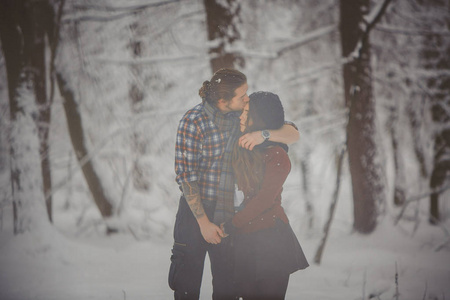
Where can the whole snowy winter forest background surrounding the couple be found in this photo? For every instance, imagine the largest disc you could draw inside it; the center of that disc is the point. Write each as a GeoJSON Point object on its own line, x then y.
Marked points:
{"type": "Point", "coordinates": [91, 93]}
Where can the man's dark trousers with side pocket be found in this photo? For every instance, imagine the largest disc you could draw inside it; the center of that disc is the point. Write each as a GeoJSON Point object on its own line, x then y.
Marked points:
{"type": "Point", "coordinates": [188, 257]}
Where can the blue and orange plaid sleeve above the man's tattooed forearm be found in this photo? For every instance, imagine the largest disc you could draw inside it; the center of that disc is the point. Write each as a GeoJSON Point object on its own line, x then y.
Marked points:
{"type": "Point", "coordinates": [187, 150]}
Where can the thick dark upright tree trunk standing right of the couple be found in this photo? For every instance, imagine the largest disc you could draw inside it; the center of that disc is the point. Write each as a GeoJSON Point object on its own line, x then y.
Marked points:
{"type": "Point", "coordinates": [362, 149]}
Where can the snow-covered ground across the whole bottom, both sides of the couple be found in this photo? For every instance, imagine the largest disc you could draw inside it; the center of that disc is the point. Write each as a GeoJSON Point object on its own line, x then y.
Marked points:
{"type": "Point", "coordinates": [54, 266]}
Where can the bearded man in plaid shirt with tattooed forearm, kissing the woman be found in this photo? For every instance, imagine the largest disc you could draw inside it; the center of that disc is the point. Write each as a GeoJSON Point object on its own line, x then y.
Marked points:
{"type": "Point", "coordinates": [205, 139]}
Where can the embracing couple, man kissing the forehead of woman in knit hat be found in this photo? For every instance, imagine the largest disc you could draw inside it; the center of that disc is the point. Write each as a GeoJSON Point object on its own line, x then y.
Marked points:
{"type": "Point", "coordinates": [231, 162]}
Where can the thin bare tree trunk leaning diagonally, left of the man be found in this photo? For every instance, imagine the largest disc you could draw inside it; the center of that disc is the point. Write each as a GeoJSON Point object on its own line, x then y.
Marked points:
{"type": "Point", "coordinates": [76, 133]}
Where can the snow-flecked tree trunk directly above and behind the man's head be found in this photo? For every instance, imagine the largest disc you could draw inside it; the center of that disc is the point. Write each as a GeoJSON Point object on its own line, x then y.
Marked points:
{"type": "Point", "coordinates": [222, 32]}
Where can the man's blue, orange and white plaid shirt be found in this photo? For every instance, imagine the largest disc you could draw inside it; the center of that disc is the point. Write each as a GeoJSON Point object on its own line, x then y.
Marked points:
{"type": "Point", "coordinates": [199, 150]}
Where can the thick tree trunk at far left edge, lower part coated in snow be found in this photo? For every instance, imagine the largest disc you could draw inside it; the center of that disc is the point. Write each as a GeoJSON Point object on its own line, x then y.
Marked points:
{"type": "Point", "coordinates": [22, 35]}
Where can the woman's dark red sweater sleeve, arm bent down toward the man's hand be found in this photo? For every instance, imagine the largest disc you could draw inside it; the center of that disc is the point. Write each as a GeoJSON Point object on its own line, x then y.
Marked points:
{"type": "Point", "coordinates": [278, 167]}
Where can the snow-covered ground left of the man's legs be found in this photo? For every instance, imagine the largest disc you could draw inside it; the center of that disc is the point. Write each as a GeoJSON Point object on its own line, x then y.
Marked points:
{"type": "Point", "coordinates": [113, 268]}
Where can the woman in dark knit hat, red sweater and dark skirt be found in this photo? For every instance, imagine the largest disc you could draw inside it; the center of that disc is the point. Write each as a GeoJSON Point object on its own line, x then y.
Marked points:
{"type": "Point", "coordinates": [266, 249]}
